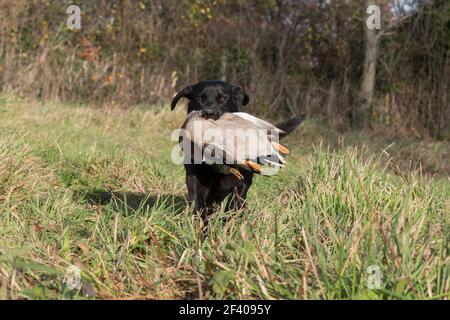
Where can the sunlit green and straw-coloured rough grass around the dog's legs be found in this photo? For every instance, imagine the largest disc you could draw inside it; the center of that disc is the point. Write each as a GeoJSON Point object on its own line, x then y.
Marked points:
{"type": "Point", "coordinates": [95, 188]}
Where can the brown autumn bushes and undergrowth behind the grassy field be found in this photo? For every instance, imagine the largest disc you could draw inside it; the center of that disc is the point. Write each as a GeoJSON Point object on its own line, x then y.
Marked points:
{"type": "Point", "coordinates": [292, 56]}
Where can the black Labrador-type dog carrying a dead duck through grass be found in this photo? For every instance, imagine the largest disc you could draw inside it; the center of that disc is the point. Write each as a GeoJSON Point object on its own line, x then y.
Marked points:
{"type": "Point", "coordinates": [205, 185]}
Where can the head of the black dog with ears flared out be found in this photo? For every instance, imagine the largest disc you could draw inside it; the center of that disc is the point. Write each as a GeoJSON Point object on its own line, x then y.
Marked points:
{"type": "Point", "coordinates": [212, 98]}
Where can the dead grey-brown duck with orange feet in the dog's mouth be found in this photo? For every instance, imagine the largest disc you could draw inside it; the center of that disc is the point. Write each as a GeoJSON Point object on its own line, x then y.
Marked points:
{"type": "Point", "coordinates": [236, 140]}
